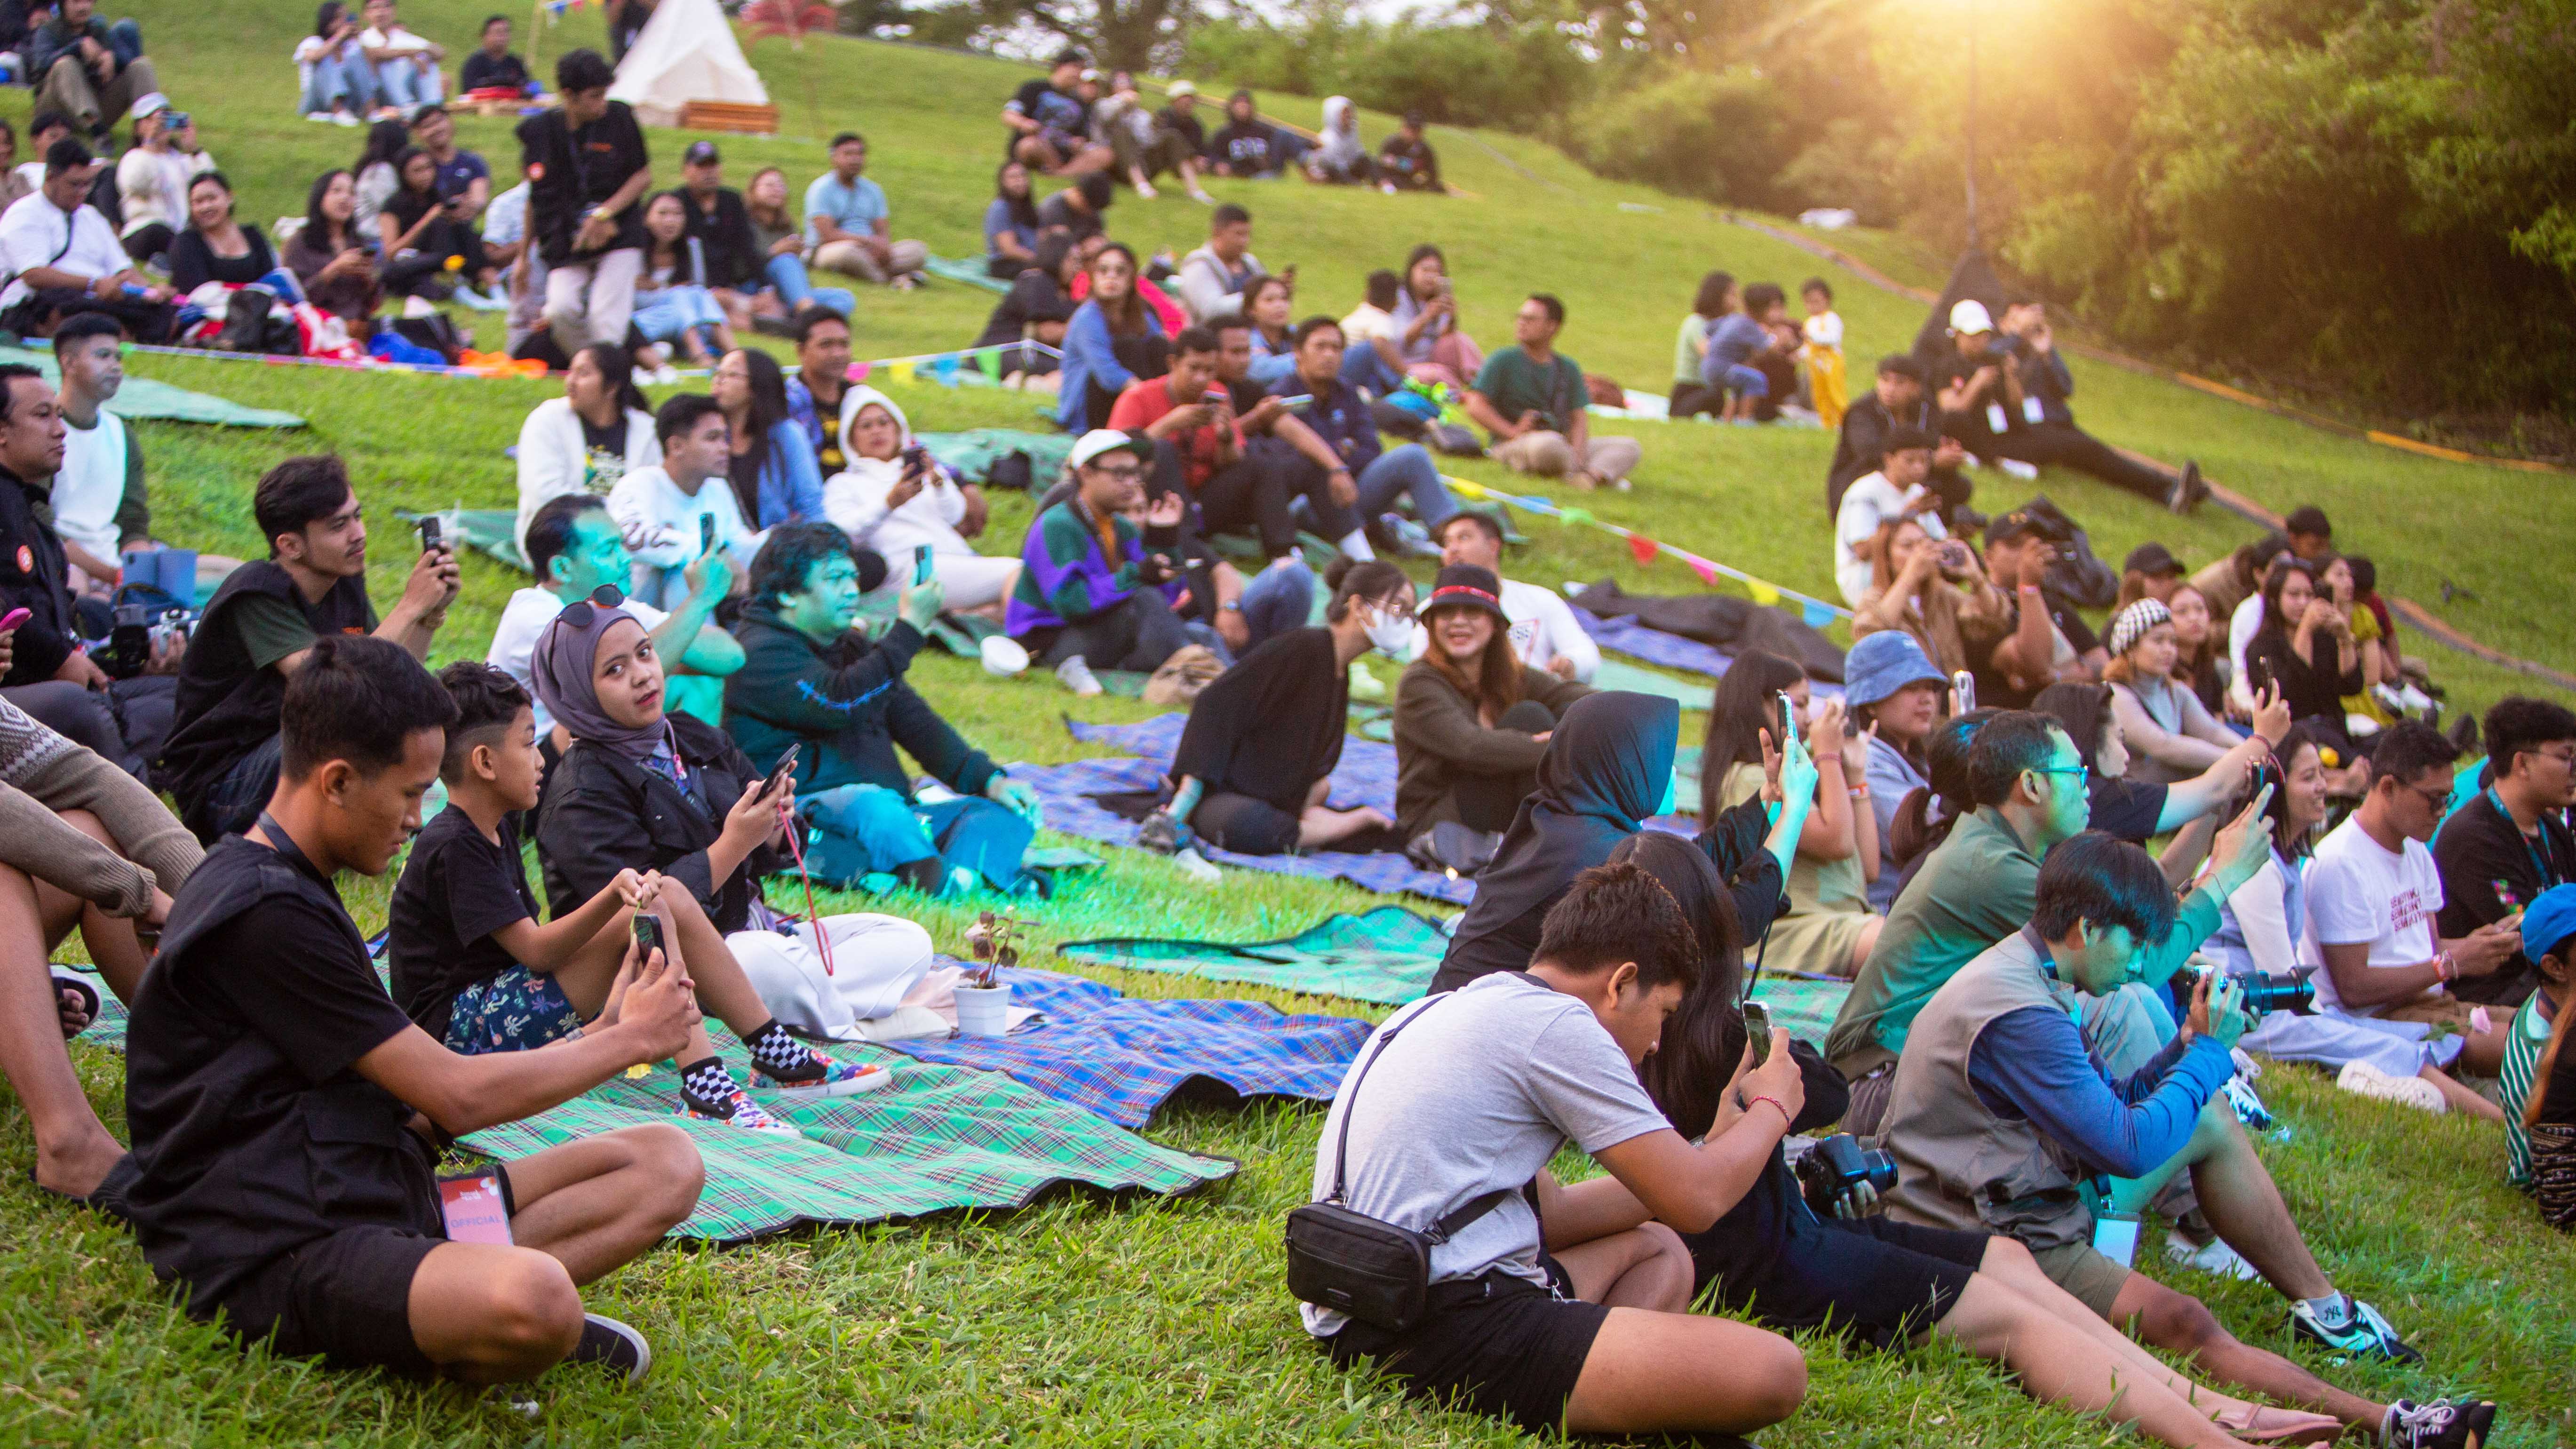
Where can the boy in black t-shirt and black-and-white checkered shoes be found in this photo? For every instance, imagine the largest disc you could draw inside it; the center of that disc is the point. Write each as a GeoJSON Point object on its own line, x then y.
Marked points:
{"type": "Point", "coordinates": [475, 968]}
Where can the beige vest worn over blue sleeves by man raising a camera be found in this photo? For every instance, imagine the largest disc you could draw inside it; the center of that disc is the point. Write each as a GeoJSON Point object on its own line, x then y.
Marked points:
{"type": "Point", "coordinates": [1956, 1162]}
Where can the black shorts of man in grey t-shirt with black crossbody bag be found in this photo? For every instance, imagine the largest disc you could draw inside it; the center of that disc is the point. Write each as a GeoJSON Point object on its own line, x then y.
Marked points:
{"type": "Point", "coordinates": [1498, 1345]}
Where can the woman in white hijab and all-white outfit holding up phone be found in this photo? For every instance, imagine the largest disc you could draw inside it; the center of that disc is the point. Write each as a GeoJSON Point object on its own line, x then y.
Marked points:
{"type": "Point", "coordinates": [895, 507]}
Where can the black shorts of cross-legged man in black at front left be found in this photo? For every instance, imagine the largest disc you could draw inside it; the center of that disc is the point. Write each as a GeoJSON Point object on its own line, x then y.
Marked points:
{"type": "Point", "coordinates": [341, 1298]}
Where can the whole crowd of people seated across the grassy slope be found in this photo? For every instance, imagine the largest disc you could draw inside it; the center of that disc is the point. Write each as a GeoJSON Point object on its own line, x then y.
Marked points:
{"type": "Point", "coordinates": [2044, 1027]}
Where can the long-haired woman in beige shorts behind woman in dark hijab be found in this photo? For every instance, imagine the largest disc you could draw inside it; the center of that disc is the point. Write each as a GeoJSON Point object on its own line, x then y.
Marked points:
{"type": "Point", "coordinates": [1830, 927]}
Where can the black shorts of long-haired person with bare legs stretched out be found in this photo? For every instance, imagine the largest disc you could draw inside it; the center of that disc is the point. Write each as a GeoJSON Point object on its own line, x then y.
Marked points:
{"type": "Point", "coordinates": [1877, 1280]}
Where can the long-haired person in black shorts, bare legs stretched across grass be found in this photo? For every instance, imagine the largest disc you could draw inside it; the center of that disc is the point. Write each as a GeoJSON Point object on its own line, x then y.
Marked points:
{"type": "Point", "coordinates": [1887, 1283]}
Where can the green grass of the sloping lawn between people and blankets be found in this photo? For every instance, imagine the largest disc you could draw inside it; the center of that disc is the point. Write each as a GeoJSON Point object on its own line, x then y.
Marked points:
{"type": "Point", "coordinates": [1086, 1321]}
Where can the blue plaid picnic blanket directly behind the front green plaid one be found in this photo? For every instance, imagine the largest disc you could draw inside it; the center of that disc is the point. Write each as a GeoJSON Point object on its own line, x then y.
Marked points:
{"type": "Point", "coordinates": [1124, 1058]}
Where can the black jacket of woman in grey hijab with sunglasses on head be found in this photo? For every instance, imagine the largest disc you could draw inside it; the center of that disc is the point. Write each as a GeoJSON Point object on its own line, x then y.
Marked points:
{"type": "Point", "coordinates": [607, 813]}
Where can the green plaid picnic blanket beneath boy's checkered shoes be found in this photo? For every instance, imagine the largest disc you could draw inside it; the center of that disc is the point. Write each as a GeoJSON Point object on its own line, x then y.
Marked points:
{"type": "Point", "coordinates": [939, 1138]}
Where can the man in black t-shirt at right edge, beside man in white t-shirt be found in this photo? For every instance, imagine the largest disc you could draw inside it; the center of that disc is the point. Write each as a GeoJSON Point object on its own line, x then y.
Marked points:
{"type": "Point", "coordinates": [2513, 842]}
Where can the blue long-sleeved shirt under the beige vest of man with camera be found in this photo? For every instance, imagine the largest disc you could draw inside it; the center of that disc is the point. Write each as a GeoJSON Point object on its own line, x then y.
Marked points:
{"type": "Point", "coordinates": [2034, 1064]}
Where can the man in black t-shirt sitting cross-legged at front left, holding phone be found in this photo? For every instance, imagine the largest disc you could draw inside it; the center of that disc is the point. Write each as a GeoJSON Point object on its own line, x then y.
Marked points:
{"type": "Point", "coordinates": [287, 1115]}
